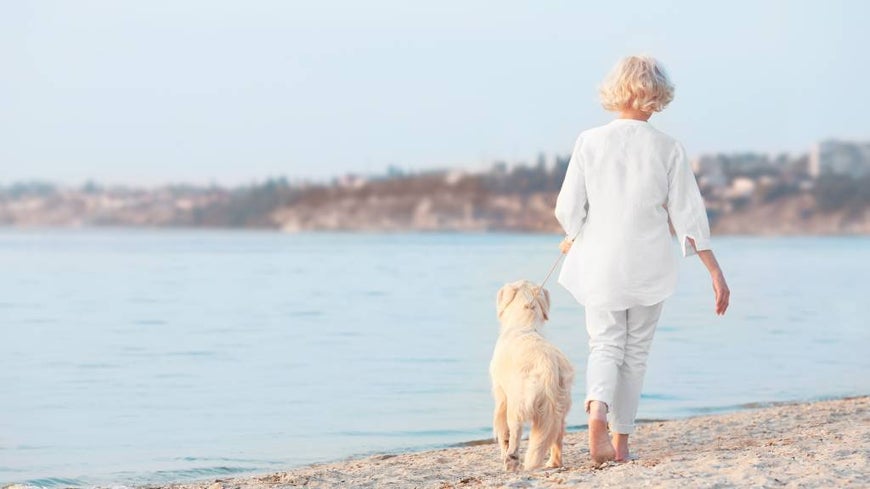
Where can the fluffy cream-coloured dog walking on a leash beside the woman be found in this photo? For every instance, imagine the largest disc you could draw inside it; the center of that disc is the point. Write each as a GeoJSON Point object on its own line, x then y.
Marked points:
{"type": "Point", "coordinates": [531, 379]}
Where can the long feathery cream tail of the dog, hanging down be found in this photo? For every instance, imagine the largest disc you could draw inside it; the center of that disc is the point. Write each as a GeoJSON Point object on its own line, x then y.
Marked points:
{"type": "Point", "coordinates": [551, 408]}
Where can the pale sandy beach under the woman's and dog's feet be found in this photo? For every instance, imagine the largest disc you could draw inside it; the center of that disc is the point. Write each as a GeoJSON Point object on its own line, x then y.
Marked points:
{"type": "Point", "coordinates": [819, 444]}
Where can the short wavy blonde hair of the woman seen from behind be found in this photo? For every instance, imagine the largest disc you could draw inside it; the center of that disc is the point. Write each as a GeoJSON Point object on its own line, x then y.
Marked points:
{"type": "Point", "coordinates": [637, 82]}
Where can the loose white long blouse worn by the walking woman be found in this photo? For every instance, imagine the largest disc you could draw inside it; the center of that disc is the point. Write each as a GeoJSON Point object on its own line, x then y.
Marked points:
{"type": "Point", "coordinates": [624, 180]}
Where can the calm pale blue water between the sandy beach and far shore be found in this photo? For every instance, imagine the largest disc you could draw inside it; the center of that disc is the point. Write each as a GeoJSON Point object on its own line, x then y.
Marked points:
{"type": "Point", "coordinates": [143, 356]}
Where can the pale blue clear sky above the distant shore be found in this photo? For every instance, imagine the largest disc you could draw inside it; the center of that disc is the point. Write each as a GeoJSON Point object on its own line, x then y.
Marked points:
{"type": "Point", "coordinates": [199, 91]}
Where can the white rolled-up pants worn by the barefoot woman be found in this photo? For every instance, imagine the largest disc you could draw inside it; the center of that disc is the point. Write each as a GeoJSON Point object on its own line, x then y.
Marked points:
{"type": "Point", "coordinates": [619, 343]}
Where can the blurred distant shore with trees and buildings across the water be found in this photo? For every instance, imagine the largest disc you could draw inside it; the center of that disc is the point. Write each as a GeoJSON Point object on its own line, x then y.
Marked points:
{"type": "Point", "coordinates": [518, 201]}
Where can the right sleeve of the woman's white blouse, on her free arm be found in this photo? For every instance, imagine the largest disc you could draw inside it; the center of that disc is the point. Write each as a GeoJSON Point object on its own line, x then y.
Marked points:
{"type": "Point", "coordinates": [686, 205]}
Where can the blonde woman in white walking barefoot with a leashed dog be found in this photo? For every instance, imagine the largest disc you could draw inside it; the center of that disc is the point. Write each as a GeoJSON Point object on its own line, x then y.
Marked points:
{"type": "Point", "coordinates": [624, 181]}
